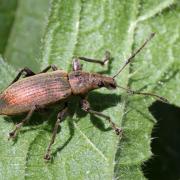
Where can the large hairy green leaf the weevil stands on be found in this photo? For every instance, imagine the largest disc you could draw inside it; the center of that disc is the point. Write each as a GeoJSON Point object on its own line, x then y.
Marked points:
{"type": "Point", "coordinates": [85, 147]}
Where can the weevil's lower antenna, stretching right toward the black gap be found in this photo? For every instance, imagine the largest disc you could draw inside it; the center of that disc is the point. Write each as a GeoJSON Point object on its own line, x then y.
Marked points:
{"type": "Point", "coordinates": [160, 98]}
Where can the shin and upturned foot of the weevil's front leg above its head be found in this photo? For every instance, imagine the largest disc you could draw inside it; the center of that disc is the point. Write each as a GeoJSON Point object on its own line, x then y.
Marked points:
{"type": "Point", "coordinates": [104, 61]}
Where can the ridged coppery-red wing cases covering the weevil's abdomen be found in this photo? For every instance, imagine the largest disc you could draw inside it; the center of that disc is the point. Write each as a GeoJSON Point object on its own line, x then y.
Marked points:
{"type": "Point", "coordinates": [41, 89]}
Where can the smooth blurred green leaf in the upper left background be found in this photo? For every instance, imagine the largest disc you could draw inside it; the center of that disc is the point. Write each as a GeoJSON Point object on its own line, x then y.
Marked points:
{"type": "Point", "coordinates": [22, 48]}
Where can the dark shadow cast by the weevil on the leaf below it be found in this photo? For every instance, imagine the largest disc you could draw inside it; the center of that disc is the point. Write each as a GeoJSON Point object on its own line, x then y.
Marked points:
{"type": "Point", "coordinates": [98, 102]}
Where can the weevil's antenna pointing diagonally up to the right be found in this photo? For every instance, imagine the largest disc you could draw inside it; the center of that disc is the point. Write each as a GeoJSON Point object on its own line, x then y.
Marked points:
{"type": "Point", "coordinates": [134, 54]}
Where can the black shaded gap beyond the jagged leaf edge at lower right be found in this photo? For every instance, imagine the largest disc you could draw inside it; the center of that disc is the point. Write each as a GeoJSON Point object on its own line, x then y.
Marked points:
{"type": "Point", "coordinates": [165, 144]}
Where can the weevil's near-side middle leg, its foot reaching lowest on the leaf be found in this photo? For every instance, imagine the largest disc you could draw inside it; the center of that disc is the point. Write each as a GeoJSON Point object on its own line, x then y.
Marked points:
{"type": "Point", "coordinates": [61, 115]}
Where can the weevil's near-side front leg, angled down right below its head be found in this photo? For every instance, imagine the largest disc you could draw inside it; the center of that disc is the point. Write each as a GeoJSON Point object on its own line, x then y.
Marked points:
{"type": "Point", "coordinates": [86, 107]}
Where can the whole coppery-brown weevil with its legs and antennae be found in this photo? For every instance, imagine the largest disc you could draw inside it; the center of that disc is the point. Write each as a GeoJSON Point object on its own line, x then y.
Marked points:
{"type": "Point", "coordinates": [27, 94]}
